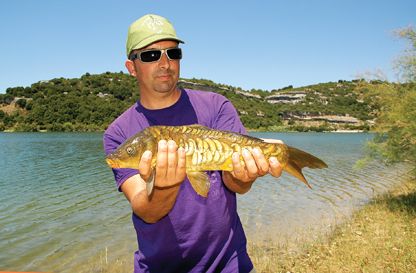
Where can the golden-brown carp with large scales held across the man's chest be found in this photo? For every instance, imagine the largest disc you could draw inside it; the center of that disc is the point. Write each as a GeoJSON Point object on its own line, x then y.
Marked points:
{"type": "Point", "coordinates": [207, 150]}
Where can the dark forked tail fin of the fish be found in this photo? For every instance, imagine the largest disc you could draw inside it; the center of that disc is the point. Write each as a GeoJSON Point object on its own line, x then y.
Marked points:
{"type": "Point", "coordinates": [299, 159]}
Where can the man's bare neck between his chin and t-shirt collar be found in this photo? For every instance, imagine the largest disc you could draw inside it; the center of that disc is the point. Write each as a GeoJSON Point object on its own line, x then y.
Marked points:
{"type": "Point", "coordinates": [157, 100]}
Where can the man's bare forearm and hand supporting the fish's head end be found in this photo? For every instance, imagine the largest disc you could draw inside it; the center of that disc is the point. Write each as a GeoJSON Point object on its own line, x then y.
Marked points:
{"type": "Point", "coordinates": [170, 173]}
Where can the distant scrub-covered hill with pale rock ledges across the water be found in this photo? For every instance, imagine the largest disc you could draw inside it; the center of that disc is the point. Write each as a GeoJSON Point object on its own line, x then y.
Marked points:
{"type": "Point", "coordinates": [91, 102]}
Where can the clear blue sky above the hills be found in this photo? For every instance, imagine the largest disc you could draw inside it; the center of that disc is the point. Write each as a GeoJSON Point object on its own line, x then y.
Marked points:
{"type": "Point", "coordinates": [250, 44]}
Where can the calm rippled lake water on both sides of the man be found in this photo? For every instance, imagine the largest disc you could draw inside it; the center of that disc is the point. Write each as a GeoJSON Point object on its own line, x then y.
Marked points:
{"type": "Point", "coordinates": [61, 212]}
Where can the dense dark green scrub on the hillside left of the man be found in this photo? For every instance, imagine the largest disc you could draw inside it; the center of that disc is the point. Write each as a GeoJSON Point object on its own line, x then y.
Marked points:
{"type": "Point", "coordinates": [86, 104]}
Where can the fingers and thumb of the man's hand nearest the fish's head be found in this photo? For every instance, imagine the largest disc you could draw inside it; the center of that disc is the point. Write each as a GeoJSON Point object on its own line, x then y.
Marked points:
{"type": "Point", "coordinates": [170, 165]}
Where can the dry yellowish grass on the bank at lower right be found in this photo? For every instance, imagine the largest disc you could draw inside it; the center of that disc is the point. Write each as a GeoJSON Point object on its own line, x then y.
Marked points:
{"type": "Point", "coordinates": [380, 237]}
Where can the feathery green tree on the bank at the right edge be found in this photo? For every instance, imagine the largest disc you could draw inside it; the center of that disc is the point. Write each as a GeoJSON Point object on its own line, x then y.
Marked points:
{"type": "Point", "coordinates": [396, 127]}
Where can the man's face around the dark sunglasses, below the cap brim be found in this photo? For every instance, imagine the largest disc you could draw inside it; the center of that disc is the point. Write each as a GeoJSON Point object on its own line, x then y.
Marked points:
{"type": "Point", "coordinates": [159, 76]}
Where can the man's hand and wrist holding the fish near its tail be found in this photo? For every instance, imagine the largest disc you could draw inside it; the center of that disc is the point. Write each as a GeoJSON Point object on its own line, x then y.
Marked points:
{"type": "Point", "coordinates": [254, 166]}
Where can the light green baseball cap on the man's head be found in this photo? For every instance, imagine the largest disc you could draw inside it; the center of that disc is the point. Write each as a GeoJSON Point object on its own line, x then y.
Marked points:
{"type": "Point", "coordinates": [149, 29]}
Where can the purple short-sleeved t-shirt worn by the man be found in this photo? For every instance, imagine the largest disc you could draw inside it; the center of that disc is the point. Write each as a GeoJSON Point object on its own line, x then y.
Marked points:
{"type": "Point", "coordinates": [199, 234]}
